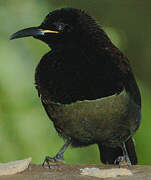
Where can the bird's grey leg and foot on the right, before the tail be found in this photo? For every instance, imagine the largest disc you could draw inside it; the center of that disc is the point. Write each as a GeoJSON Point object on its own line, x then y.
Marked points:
{"type": "Point", "coordinates": [123, 160]}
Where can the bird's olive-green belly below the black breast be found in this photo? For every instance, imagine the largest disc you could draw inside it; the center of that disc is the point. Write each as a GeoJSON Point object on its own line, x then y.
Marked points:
{"type": "Point", "coordinates": [110, 120]}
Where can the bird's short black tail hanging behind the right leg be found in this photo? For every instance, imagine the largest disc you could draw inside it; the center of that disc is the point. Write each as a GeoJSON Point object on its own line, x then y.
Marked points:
{"type": "Point", "coordinates": [108, 155]}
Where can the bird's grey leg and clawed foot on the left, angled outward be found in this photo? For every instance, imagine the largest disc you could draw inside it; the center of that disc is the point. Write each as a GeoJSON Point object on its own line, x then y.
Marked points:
{"type": "Point", "coordinates": [58, 158]}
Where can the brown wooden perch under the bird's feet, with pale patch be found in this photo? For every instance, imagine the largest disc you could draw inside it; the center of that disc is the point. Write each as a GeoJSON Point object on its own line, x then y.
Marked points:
{"type": "Point", "coordinates": [75, 172]}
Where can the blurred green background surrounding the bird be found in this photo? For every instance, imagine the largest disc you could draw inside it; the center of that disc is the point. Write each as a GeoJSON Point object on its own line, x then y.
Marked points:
{"type": "Point", "coordinates": [25, 129]}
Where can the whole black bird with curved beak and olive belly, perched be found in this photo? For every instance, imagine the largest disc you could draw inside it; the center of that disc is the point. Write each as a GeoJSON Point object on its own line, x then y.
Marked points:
{"type": "Point", "coordinates": [86, 86]}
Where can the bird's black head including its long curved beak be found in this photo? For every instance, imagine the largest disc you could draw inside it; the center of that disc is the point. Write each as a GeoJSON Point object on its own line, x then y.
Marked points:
{"type": "Point", "coordinates": [61, 27]}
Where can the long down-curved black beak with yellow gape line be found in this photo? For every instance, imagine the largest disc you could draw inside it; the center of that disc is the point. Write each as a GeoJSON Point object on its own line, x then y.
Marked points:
{"type": "Point", "coordinates": [33, 31]}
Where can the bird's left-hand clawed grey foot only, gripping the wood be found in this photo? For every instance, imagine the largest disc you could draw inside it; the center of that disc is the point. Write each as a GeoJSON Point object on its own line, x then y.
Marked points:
{"type": "Point", "coordinates": [56, 160]}
